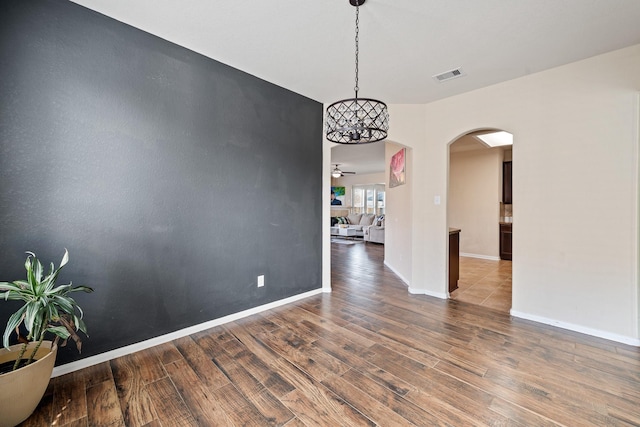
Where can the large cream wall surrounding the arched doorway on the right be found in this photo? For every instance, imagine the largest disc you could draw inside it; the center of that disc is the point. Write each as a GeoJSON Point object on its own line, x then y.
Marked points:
{"type": "Point", "coordinates": [575, 188]}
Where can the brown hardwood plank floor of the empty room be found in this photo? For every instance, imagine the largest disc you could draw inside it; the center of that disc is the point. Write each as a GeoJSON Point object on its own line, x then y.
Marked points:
{"type": "Point", "coordinates": [367, 354]}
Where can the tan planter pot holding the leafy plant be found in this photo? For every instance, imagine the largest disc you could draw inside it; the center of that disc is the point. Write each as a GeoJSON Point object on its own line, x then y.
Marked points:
{"type": "Point", "coordinates": [22, 390]}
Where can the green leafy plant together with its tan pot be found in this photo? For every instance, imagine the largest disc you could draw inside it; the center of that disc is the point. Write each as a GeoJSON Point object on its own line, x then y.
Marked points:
{"type": "Point", "coordinates": [47, 309]}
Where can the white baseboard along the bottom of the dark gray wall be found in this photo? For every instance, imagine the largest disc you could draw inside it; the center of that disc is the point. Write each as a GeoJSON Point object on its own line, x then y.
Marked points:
{"type": "Point", "coordinates": [123, 351]}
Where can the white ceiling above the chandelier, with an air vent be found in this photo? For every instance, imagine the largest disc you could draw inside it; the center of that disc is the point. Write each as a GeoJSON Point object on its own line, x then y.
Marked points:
{"type": "Point", "coordinates": [308, 46]}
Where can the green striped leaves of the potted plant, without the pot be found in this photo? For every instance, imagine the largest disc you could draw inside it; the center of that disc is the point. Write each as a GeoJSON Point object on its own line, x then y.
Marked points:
{"type": "Point", "coordinates": [46, 308]}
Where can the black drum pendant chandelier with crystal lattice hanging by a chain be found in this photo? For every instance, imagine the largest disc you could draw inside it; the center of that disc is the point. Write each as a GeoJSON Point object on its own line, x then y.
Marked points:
{"type": "Point", "coordinates": [357, 120]}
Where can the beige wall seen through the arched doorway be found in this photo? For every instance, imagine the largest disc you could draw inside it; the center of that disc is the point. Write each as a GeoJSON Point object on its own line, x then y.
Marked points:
{"type": "Point", "coordinates": [474, 200]}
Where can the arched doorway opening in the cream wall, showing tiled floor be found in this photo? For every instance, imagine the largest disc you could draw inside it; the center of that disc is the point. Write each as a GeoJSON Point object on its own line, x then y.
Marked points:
{"type": "Point", "coordinates": [480, 204]}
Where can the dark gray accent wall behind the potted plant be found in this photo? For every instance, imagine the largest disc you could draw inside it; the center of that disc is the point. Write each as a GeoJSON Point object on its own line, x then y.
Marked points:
{"type": "Point", "coordinates": [172, 179]}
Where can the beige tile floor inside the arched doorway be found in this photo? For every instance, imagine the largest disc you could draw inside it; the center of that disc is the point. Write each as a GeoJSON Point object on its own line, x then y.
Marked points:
{"type": "Point", "coordinates": [484, 282]}
